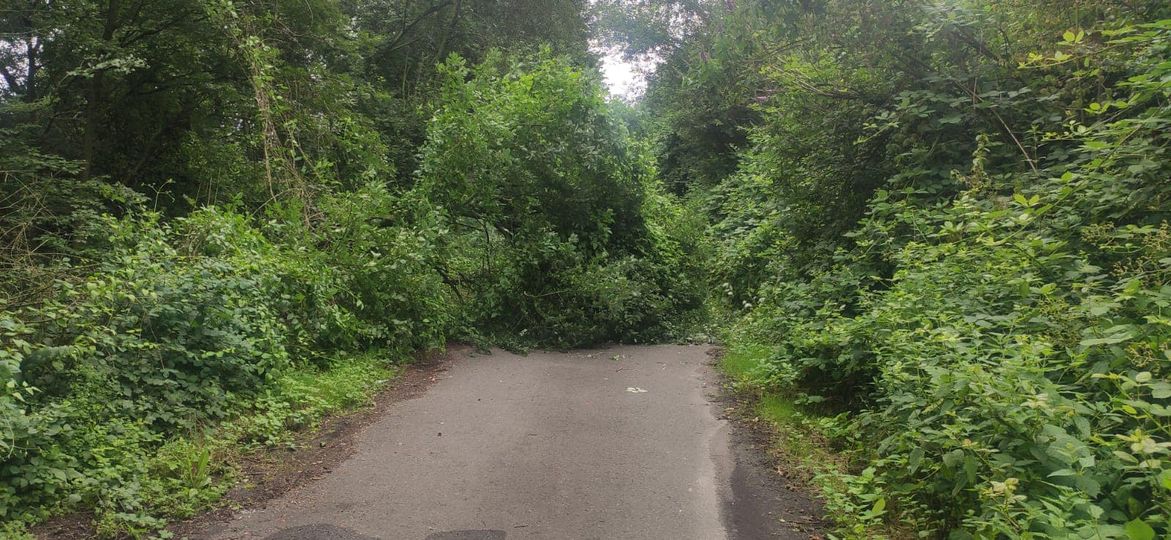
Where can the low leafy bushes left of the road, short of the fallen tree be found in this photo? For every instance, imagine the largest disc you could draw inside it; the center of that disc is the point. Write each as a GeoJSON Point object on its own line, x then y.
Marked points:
{"type": "Point", "coordinates": [181, 325]}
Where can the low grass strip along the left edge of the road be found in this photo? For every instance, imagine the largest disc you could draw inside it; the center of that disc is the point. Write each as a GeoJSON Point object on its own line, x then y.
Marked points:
{"type": "Point", "coordinates": [191, 474]}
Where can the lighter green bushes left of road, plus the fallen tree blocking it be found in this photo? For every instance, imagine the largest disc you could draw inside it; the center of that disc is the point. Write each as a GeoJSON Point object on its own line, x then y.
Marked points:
{"type": "Point", "coordinates": [155, 345]}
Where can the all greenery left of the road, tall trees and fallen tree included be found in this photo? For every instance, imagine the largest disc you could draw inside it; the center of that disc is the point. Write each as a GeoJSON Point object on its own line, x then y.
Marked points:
{"type": "Point", "coordinates": [224, 221]}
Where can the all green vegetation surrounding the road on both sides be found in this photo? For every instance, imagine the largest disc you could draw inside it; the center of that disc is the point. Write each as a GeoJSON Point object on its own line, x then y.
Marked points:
{"type": "Point", "coordinates": [936, 235]}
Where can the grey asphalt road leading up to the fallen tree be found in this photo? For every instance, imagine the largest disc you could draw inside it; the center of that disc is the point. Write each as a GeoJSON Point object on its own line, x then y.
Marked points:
{"type": "Point", "coordinates": [622, 443]}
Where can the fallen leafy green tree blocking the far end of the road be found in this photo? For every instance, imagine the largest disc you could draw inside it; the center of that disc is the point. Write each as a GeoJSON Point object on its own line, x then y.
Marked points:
{"type": "Point", "coordinates": [551, 210]}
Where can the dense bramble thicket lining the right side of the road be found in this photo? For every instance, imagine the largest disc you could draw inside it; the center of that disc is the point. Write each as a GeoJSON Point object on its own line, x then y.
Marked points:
{"type": "Point", "coordinates": [996, 331]}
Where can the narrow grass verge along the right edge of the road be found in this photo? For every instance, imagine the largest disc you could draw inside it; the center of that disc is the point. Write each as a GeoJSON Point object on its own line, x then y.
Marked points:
{"type": "Point", "coordinates": [812, 448]}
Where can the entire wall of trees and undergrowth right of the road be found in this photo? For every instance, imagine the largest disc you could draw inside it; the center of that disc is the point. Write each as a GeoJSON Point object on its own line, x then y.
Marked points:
{"type": "Point", "coordinates": [946, 225]}
